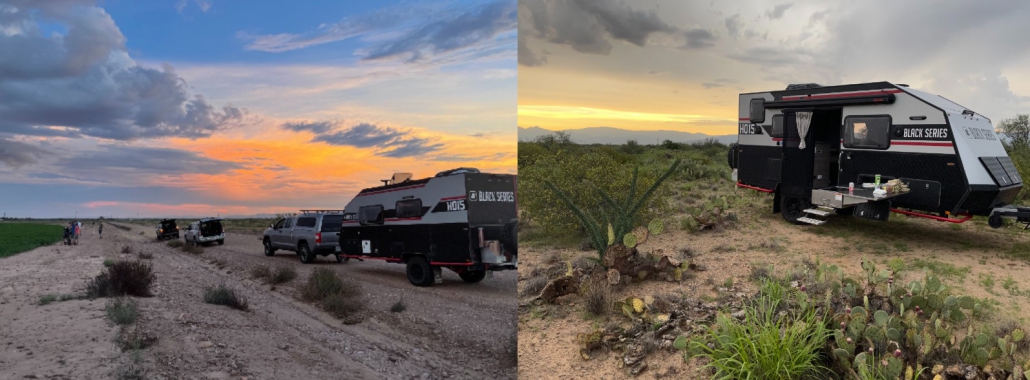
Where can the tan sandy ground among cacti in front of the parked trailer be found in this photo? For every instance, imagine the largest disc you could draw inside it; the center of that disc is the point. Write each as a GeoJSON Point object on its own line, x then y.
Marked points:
{"type": "Point", "coordinates": [548, 348]}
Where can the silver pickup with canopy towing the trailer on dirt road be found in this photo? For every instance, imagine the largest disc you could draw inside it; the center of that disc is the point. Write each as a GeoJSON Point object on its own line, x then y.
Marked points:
{"type": "Point", "coordinates": [312, 234]}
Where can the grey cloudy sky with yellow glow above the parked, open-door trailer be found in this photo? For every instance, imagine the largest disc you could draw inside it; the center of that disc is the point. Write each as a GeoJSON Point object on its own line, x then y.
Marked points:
{"type": "Point", "coordinates": [679, 65]}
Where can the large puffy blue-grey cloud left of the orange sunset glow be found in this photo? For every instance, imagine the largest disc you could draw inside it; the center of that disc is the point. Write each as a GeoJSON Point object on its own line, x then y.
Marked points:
{"type": "Point", "coordinates": [84, 83]}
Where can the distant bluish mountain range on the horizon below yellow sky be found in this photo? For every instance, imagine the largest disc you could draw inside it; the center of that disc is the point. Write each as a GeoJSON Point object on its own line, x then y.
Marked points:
{"type": "Point", "coordinates": [608, 135]}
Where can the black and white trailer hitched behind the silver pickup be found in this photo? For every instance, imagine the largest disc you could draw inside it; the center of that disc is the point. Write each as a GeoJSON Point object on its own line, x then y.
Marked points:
{"type": "Point", "coordinates": [461, 220]}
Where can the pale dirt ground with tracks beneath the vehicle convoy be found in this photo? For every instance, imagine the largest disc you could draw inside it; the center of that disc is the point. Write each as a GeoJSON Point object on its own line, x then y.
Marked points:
{"type": "Point", "coordinates": [449, 331]}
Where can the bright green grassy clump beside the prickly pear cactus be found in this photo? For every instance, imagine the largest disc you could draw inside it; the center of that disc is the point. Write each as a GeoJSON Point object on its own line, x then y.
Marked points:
{"type": "Point", "coordinates": [766, 344]}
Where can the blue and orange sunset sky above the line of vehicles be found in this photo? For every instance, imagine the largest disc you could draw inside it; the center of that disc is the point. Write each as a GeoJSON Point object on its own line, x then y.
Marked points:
{"type": "Point", "coordinates": [198, 108]}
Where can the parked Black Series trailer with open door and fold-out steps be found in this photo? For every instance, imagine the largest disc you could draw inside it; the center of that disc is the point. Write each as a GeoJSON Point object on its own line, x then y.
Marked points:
{"type": "Point", "coordinates": [806, 145]}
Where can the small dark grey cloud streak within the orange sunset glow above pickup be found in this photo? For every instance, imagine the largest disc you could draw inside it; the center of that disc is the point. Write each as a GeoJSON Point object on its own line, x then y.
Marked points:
{"type": "Point", "coordinates": [385, 141]}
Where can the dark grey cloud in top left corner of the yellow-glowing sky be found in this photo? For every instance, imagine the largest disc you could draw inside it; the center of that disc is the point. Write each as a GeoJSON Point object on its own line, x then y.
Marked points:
{"type": "Point", "coordinates": [587, 26]}
